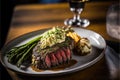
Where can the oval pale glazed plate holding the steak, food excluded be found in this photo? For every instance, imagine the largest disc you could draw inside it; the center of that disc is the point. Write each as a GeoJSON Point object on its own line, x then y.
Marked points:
{"type": "Point", "coordinates": [96, 40]}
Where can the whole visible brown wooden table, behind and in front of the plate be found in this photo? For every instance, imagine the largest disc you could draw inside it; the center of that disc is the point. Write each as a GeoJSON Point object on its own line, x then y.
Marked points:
{"type": "Point", "coordinates": [28, 18]}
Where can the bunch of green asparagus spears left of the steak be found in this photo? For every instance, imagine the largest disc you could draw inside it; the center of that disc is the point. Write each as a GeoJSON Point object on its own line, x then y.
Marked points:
{"type": "Point", "coordinates": [18, 54]}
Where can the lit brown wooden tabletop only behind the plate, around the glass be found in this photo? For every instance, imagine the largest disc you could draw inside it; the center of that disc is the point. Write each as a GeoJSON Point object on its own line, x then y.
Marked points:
{"type": "Point", "coordinates": [28, 18]}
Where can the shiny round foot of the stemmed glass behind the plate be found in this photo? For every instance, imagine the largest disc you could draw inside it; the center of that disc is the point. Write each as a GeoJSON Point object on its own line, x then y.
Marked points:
{"type": "Point", "coordinates": [78, 23]}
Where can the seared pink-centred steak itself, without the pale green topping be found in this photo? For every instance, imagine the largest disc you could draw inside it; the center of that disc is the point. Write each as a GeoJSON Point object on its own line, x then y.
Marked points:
{"type": "Point", "coordinates": [52, 56]}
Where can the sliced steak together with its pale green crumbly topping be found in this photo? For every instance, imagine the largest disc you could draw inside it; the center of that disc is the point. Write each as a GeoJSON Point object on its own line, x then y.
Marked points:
{"type": "Point", "coordinates": [47, 56]}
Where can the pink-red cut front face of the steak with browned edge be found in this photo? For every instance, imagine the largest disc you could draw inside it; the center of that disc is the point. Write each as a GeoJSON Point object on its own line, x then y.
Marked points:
{"type": "Point", "coordinates": [61, 56]}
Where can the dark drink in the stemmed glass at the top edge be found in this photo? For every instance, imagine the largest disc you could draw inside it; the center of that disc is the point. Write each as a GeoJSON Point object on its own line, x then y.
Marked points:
{"type": "Point", "coordinates": [77, 3]}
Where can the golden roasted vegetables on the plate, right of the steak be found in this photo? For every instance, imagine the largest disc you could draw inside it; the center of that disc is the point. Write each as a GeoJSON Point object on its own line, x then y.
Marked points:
{"type": "Point", "coordinates": [82, 45]}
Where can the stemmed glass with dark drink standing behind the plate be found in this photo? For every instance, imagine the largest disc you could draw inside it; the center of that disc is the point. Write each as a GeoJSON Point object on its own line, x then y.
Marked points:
{"type": "Point", "coordinates": [77, 6]}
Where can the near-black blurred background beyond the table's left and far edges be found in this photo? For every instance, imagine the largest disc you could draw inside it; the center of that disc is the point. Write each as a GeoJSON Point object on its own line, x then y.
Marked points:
{"type": "Point", "coordinates": [6, 12]}
